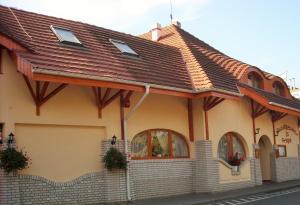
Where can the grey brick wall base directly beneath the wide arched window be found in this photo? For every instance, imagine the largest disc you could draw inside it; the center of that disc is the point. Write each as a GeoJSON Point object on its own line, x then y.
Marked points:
{"type": "Point", "coordinates": [158, 178]}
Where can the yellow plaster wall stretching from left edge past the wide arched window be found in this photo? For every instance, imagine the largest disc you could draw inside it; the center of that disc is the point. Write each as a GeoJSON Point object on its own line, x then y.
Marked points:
{"type": "Point", "coordinates": [72, 116]}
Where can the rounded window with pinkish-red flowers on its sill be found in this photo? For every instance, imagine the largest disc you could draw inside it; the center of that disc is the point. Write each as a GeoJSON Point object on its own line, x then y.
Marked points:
{"type": "Point", "coordinates": [231, 149]}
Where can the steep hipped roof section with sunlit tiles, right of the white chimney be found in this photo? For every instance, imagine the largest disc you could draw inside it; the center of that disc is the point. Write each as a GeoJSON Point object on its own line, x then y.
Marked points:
{"type": "Point", "coordinates": [208, 66]}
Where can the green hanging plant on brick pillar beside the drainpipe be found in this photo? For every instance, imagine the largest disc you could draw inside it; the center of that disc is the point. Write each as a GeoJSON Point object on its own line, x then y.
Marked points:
{"type": "Point", "coordinates": [114, 159]}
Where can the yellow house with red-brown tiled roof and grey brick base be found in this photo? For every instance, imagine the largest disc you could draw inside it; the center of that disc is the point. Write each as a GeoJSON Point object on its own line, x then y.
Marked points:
{"type": "Point", "coordinates": [189, 118]}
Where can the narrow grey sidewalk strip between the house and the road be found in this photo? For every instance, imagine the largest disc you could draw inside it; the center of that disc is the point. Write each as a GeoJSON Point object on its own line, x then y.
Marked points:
{"type": "Point", "coordinates": [197, 199]}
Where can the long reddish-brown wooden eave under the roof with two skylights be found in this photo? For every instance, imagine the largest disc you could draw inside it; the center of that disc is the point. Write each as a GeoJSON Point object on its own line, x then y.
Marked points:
{"type": "Point", "coordinates": [26, 68]}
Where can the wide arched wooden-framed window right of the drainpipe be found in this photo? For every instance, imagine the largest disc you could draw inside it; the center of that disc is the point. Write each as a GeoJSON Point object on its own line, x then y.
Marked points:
{"type": "Point", "coordinates": [159, 144]}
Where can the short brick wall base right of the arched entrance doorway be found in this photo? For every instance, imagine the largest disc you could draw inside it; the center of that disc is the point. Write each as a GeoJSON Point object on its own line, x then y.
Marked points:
{"type": "Point", "coordinates": [285, 168]}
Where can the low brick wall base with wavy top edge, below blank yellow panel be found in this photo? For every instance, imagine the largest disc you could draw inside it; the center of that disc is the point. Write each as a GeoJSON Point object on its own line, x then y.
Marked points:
{"type": "Point", "coordinates": [87, 189]}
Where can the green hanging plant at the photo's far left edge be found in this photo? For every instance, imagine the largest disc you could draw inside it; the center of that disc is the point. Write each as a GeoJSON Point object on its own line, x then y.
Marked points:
{"type": "Point", "coordinates": [12, 160]}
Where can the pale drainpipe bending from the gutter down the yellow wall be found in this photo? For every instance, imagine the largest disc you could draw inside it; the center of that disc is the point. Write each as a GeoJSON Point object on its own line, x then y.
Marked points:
{"type": "Point", "coordinates": [147, 88]}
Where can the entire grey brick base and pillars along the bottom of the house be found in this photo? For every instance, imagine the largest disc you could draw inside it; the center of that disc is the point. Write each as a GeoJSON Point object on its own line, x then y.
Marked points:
{"type": "Point", "coordinates": [148, 178]}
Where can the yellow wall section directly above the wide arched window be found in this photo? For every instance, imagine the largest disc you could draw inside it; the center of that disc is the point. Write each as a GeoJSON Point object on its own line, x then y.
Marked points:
{"type": "Point", "coordinates": [160, 111]}
